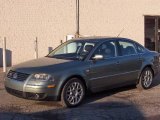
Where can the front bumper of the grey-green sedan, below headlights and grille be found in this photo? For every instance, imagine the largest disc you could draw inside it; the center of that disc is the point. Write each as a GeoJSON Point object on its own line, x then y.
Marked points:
{"type": "Point", "coordinates": [28, 91]}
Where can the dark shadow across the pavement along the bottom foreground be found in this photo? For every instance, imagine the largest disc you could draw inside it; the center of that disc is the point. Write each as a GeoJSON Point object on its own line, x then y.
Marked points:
{"type": "Point", "coordinates": [94, 111]}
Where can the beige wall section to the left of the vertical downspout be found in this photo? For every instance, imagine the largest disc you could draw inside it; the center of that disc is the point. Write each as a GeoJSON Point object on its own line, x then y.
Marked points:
{"type": "Point", "coordinates": [21, 21]}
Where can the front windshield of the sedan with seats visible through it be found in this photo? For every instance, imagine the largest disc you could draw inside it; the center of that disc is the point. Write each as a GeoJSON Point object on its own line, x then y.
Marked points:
{"type": "Point", "coordinates": [76, 50]}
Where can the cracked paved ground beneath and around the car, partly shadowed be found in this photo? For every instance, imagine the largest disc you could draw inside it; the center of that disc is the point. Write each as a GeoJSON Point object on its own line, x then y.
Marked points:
{"type": "Point", "coordinates": [126, 103]}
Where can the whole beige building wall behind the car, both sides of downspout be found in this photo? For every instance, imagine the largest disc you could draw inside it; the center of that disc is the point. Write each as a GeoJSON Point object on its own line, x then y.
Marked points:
{"type": "Point", "coordinates": [21, 21]}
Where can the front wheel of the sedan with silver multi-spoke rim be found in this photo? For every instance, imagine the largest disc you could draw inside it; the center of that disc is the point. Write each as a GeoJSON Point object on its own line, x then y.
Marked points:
{"type": "Point", "coordinates": [73, 93]}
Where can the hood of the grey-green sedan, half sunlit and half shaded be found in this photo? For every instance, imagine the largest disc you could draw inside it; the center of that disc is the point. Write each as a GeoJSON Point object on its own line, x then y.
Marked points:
{"type": "Point", "coordinates": [43, 65]}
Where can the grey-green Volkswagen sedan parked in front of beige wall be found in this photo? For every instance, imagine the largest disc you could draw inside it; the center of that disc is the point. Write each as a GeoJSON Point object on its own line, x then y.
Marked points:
{"type": "Point", "coordinates": [81, 65]}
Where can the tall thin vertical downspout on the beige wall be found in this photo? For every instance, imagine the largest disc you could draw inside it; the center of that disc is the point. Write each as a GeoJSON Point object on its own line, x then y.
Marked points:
{"type": "Point", "coordinates": [77, 19]}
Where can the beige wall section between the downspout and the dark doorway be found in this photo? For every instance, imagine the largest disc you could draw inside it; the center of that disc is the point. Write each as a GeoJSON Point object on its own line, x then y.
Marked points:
{"type": "Point", "coordinates": [110, 17]}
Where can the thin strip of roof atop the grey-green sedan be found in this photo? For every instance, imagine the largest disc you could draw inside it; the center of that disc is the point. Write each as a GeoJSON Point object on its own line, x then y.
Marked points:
{"type": "Point", "coordinates": [98, 38]}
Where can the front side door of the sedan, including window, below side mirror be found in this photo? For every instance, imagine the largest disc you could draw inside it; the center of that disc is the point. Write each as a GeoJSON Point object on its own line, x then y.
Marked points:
{"type": "Point", "coordinates": [102, 71]}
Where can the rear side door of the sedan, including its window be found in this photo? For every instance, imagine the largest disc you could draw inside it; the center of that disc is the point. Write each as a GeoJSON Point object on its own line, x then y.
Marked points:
{"type": "Point", "coordinates": [129, 62]}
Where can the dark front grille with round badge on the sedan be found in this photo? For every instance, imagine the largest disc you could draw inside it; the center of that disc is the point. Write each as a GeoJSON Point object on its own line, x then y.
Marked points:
{"type": "Point", "coordinates": [17, 75]}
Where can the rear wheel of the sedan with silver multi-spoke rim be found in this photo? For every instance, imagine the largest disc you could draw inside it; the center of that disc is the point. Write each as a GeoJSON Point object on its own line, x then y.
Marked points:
{"type": "Point", "coordinates": [145, 79]}
